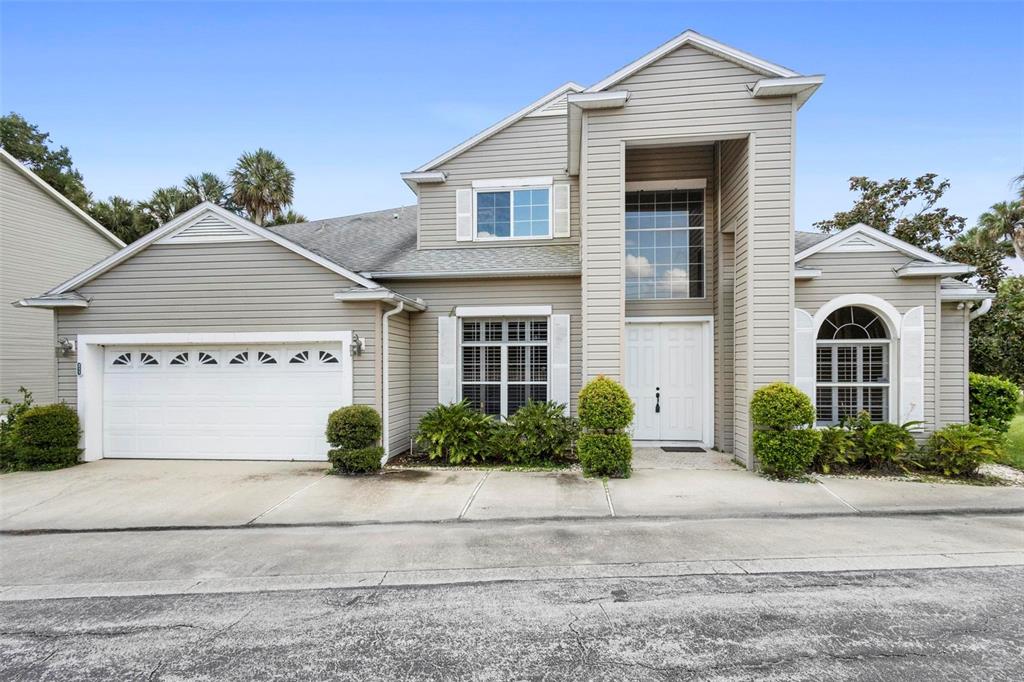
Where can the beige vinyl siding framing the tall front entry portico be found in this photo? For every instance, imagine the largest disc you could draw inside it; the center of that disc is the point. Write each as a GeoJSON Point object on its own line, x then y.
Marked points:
{"type": "Point", "coordinates": [691, 94]}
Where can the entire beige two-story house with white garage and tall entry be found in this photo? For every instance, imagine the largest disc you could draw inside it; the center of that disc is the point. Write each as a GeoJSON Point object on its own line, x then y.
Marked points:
{"type": "Point", "coordinates": [639, 229]}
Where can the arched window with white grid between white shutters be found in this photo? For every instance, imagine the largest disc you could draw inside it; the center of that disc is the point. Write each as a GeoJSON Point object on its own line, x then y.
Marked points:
{"type": "Point", "coordinates": [854, 353]}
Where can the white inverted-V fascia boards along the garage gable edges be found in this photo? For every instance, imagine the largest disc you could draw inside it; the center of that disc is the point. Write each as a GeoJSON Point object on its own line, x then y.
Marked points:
{"type": "Point", "coordinates": [187, 218]}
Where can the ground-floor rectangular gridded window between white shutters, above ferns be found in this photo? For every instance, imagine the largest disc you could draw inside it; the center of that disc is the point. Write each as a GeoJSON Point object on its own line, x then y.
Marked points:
{"type": "Point", "coordinates": [504, 364]}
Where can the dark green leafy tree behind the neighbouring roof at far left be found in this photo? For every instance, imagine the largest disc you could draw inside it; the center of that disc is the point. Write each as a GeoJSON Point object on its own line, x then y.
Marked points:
{"type": "Point", "coordinates": [32, 147]}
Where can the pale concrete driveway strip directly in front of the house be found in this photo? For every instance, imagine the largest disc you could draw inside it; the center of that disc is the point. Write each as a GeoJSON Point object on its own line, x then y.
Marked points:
{"type": "Point", "coordinates": [151, 494]}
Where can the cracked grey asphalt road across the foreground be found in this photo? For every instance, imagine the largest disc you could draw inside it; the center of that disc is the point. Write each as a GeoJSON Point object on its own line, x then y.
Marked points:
{"type": "Point", "coordinates": [952, 624]}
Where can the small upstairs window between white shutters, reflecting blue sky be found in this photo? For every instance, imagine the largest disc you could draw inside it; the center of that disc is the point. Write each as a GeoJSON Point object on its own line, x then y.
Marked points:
{"type": "Point", "coordinates": [520, 214]}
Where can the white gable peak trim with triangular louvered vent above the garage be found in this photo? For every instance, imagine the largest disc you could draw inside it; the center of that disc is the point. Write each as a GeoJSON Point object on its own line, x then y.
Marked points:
{"type": "Point", "coordinates": [206, 223]}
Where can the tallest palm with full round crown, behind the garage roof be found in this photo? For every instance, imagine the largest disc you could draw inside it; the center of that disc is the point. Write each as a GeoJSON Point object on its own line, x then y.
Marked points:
{"type": "Point", "coordinates": [263, 185]}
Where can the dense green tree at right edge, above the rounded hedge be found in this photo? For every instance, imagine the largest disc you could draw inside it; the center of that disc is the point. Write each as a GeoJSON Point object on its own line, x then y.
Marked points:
{"type": "Point", "coordinates": [996, 337]}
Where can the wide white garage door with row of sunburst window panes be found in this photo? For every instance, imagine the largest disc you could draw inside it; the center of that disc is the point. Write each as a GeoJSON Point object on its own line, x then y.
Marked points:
{"type": "Point", "coordinates": [237, 403]}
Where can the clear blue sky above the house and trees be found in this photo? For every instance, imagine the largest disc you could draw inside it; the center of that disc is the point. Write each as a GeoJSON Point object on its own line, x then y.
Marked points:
{"type": "Point", "coordinates": [353, 95]}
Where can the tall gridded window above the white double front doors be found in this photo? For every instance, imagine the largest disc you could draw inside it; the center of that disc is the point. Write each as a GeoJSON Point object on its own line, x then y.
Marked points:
{"type": "Point", "coordinates": [665, 238]}
